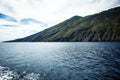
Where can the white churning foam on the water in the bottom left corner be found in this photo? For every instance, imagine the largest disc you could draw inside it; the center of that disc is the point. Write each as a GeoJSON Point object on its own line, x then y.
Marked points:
{"type": "Point", "coordinates": [7, 74]}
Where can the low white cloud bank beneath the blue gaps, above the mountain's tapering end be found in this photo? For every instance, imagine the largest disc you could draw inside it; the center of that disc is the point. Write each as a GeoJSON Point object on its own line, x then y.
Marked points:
{"type": "Point", "coordinates": [10, 33]}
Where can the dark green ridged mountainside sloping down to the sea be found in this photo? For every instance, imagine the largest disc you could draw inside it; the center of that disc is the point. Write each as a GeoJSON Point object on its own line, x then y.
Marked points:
{"type": "Point", "coordinates": [104, 26]}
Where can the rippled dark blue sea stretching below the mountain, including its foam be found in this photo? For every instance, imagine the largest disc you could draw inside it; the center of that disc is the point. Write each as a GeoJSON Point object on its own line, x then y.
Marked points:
{"type": "Point", "coordinates": [60, 61]}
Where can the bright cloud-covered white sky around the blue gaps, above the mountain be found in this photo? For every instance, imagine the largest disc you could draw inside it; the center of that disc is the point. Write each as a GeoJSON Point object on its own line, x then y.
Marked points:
{"type": "Point", "coordinates": [50, 12]}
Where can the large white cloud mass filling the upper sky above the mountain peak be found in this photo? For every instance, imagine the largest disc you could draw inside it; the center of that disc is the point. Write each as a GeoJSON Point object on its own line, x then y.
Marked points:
{"type": "Point", "coordinates": [53, 11]}
